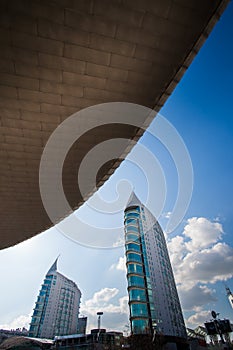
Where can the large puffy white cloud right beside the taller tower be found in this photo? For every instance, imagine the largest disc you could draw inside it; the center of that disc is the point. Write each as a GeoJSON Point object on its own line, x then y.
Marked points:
{"type": "Point", "coordinates": [198, 258]}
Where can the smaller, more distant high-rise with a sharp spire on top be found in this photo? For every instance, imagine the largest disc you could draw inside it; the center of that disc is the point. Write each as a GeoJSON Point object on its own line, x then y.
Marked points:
{"type": "Point", "coordinates": [57, 306]}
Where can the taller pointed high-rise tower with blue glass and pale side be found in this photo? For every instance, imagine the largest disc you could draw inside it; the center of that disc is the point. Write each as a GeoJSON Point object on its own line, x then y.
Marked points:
{"type": "Point", "coordinates": [153, 299]}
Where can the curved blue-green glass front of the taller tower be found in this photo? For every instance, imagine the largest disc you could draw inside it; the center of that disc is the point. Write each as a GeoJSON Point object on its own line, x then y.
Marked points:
{"type": "Point", "coordinates": [140, 302]}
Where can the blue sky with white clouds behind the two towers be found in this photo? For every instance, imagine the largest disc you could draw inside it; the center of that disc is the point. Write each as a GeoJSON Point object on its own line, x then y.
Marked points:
{"type": "Point", "coordinates": [201, 110]}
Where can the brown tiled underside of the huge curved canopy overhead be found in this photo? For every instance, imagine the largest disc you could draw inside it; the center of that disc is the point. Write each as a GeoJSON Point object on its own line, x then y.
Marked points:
{"type": "Point", "coordinates": [60, 56]}
